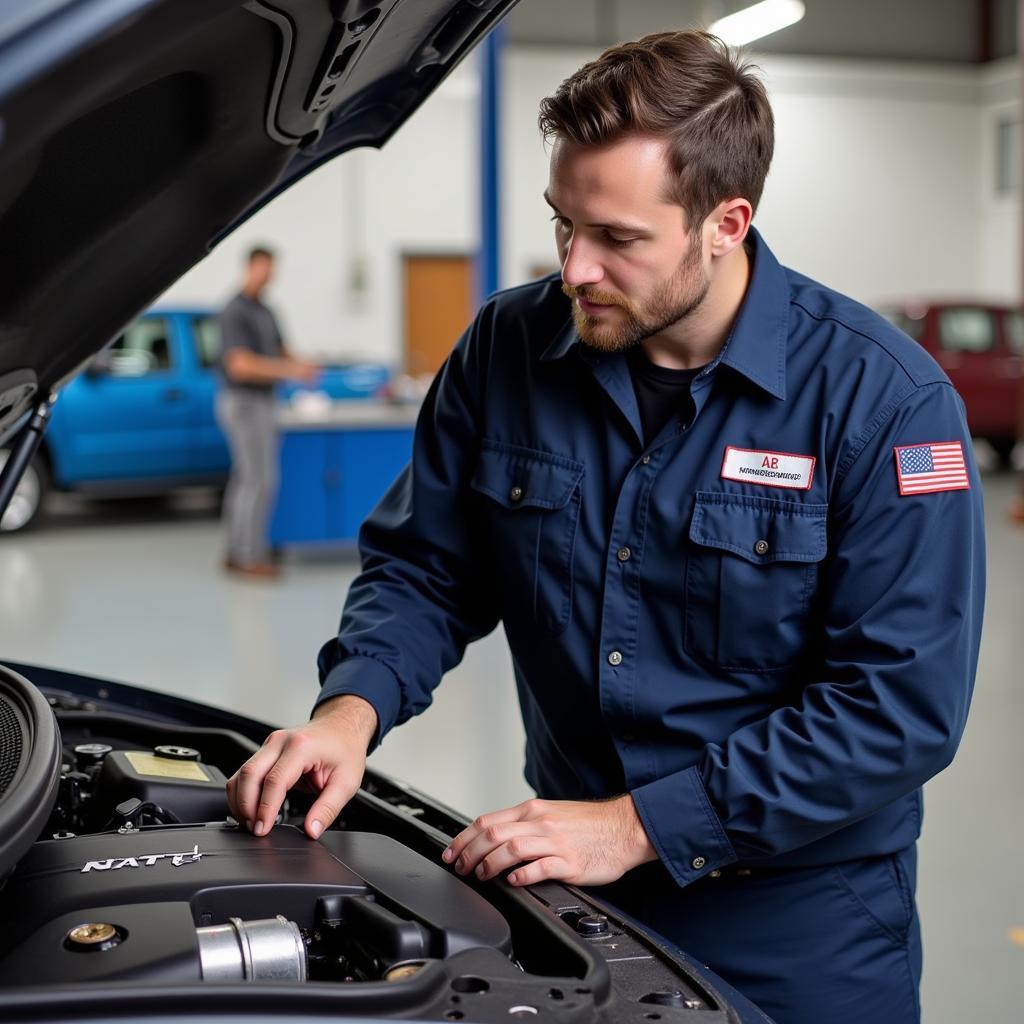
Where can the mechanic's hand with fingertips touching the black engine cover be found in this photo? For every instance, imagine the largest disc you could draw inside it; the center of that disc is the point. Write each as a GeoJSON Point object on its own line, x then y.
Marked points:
{"type": "Point", "coordinates": [327, 755]}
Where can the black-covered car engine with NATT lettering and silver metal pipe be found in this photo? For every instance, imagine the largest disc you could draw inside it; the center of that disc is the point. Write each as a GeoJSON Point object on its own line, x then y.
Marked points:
{"type": "Point", "coordinates": [126, 889]}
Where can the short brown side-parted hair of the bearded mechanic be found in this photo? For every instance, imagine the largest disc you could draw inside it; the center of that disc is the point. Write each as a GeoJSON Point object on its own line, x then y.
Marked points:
{"type": "Point", "coordinates": [688, 89]}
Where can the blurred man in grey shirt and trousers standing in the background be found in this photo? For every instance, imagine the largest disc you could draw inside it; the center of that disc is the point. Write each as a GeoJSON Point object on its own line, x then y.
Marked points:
{"type": "Point", "coordinates": [253, 358]}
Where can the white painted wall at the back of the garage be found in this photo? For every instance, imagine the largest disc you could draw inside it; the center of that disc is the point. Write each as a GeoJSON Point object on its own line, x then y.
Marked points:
{"type": "Point", "coordinates": [883, 186]}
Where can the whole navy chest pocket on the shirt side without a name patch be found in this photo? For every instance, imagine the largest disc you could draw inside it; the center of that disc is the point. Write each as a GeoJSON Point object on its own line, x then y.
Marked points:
{"type": "Point", "coordinates": [533, 510]}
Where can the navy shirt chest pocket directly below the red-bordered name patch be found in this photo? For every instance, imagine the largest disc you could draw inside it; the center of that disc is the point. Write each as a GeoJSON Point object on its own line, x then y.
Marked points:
{"type": "Point", "coordinates": [752, 572]}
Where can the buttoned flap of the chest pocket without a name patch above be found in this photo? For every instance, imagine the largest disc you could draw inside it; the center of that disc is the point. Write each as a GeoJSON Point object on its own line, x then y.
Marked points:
{"type": "Point", "coordinates": [519, 478]}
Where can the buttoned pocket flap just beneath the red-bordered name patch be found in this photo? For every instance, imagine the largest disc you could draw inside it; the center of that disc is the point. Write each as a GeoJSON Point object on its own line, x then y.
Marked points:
{"type": "Point", "coordinates": [760, 530]}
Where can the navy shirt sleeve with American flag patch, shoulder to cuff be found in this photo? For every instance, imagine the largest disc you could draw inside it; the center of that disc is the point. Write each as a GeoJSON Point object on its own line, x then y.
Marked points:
{"type": "Point", "coordinates": [902, 602]}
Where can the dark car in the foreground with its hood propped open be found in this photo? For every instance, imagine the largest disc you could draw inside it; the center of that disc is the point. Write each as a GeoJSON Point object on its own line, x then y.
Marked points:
{"type": "Point", "coordinates": [136, 135]}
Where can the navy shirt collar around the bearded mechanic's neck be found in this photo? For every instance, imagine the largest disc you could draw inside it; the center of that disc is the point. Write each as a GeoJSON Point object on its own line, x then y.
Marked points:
{"type": "Point", "coordinates": [756, 347]}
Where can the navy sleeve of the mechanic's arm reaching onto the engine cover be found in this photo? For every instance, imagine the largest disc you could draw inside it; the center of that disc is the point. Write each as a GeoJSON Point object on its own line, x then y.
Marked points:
{"type": "Point", "coordinates": [422, 595]}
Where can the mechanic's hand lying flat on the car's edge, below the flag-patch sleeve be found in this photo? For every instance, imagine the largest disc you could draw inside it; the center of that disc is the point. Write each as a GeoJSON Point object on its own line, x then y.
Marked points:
{"type": "Point", "coordinates": [583, 843]}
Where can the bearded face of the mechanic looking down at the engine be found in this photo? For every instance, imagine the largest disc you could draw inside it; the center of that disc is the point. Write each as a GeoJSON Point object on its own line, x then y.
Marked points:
{"type": "Point", "coordinates": [629, 264]}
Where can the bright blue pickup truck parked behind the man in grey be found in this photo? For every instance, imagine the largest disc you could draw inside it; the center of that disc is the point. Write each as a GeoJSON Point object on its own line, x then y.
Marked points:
{"type": "Point", "coordinates": [140, 419]}
